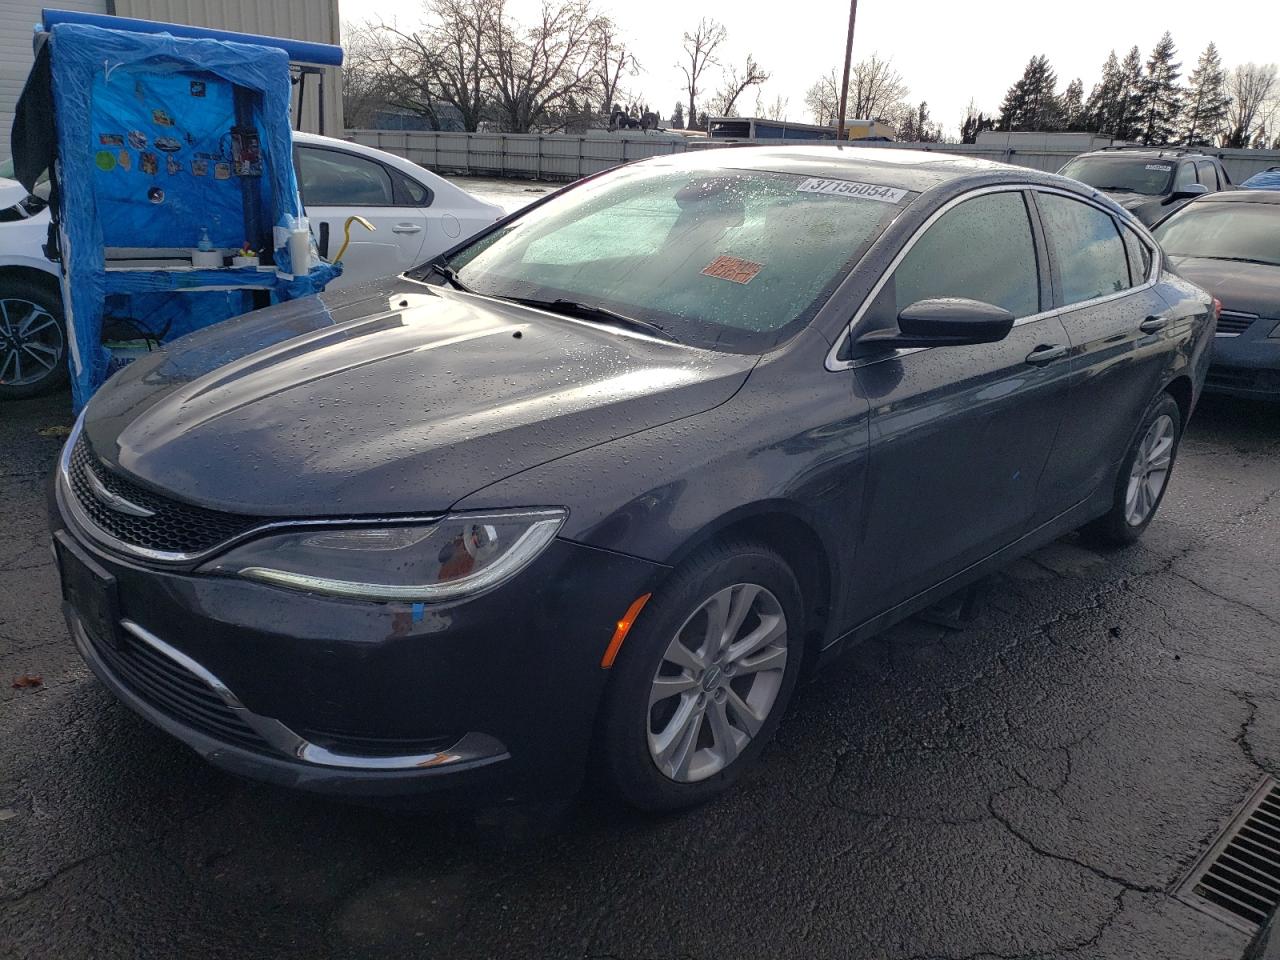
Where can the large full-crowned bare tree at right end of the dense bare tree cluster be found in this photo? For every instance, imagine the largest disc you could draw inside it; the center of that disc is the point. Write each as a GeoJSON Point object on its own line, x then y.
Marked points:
{"type": "Point", "coordinates": [540, 75]}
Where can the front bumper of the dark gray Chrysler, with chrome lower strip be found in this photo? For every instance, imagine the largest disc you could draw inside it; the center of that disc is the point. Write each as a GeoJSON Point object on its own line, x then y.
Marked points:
{"type": "Point", "coordinates": [481, 701]}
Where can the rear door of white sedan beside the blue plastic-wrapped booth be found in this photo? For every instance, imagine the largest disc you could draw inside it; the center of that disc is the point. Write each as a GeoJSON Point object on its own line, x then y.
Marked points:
{"type": "Point", "coordinates": [337, 185]}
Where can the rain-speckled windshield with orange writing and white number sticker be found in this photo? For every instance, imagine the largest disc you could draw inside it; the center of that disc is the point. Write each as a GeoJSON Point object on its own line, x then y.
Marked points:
{"type": "Point", "coordinates": [728, 259]}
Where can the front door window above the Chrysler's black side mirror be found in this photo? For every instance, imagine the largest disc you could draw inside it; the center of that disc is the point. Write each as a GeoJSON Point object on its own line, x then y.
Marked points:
{"type": "Point", "coordinates": [981, 249]}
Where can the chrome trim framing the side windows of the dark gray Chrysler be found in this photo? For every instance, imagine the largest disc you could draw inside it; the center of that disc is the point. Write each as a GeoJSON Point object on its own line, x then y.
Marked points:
{"type": "Point", "coordinates": [835, 365]}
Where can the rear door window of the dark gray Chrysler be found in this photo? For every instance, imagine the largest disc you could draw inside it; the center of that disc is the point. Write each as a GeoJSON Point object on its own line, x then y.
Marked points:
{"type": "Point", "coordinates": [1086, 248]}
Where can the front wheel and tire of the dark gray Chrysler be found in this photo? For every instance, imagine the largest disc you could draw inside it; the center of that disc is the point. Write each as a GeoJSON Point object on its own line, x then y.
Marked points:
{"type": "Point", "coordinates": [716, 710]}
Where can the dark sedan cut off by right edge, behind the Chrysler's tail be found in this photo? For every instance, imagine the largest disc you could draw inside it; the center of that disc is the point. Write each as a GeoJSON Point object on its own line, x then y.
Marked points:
{"type": "Point", "coordinates": [1229, 244]}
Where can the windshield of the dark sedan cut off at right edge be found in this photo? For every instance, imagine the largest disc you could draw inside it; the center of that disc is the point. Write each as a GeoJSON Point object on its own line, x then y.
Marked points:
{"type": "Point", "coordinates": [1224, 232]}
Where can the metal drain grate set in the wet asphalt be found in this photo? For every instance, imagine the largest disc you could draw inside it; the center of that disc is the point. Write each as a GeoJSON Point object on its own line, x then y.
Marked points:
{"type": "Point", "coordinates": [1238, 880]}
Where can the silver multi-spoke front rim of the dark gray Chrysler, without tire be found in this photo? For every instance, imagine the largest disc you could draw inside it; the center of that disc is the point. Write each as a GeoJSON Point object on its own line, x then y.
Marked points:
{"type": "Point", "coordinates": [717, 683]}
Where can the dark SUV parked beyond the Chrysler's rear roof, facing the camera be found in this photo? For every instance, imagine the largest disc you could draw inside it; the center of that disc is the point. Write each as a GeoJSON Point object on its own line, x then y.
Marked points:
{"type": "Point", "coordinates": [1150, 184]}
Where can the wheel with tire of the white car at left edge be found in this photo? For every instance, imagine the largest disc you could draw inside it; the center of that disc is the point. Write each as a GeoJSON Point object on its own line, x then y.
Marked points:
{"type": "Point", "coordinates": [33, 340]}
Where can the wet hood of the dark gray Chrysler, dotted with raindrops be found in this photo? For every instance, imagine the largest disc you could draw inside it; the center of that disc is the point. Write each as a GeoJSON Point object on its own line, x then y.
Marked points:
{"type": "Point", "coordinates": [387, 400]}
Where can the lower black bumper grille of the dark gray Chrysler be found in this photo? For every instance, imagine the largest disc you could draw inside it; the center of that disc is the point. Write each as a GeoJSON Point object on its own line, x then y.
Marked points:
{"type": "Point", "coordinates": [176, 692]}
